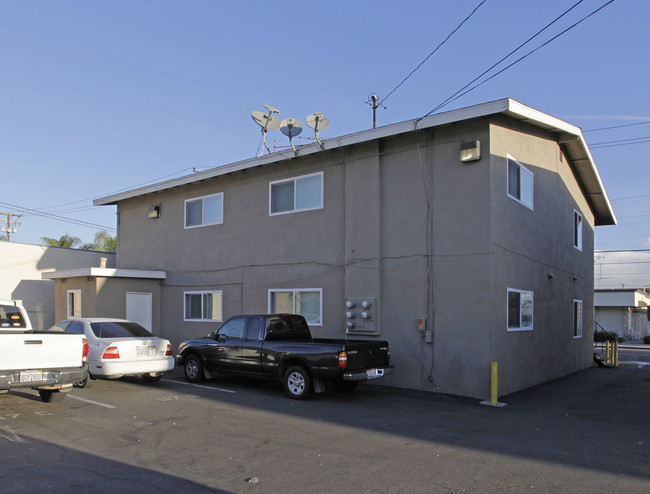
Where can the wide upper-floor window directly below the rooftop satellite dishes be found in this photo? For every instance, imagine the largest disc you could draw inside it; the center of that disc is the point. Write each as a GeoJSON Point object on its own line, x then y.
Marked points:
{"type": "Point", "coordinates": [296, 194]}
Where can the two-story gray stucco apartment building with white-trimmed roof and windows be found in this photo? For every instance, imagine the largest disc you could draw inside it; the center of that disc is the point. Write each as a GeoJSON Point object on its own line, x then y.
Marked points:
{"type": "Point", "coordinates": [469, 234]}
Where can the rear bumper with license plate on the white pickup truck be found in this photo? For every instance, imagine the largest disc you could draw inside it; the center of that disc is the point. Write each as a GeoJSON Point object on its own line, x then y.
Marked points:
{"type": "Point", "coordinates": [42, 378]}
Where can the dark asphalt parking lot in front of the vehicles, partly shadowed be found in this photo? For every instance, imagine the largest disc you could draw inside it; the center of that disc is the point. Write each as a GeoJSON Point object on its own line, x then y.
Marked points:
{"type": "Point", "coordinates": [586, 433]}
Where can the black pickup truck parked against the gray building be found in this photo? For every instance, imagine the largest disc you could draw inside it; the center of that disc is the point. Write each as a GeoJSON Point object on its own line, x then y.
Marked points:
{"type": "Point", "coordinates": [280, 346]}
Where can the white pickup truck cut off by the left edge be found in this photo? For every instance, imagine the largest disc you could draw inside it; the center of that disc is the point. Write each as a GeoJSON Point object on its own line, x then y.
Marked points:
{"type": "Point", "coordinates": [50, 362]}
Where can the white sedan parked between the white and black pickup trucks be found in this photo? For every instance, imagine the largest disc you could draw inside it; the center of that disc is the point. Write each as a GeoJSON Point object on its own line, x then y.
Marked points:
{"type": "Point", "coordinates": [121, 348]}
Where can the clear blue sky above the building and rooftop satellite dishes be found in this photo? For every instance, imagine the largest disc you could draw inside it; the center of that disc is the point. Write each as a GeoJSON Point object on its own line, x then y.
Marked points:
{"type": "Point", "coordinates": [99, 97]}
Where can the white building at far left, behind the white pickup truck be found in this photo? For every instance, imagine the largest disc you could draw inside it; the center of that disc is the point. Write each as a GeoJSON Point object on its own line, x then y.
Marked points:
{"type": "Point", "coordinates": [21, 269]}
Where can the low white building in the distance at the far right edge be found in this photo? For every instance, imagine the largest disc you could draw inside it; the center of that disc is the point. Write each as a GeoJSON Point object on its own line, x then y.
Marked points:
{"type": "Point", "coordinates": [622, 311]}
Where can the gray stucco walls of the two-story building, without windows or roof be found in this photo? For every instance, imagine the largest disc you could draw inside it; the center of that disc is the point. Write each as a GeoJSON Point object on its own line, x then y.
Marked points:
{"type": "Point", "coordinates": [404, 222]}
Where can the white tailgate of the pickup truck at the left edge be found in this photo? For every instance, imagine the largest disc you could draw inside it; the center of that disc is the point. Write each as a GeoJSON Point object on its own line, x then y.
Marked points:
{"type": "Point", "coordinates": [40, 350]}
